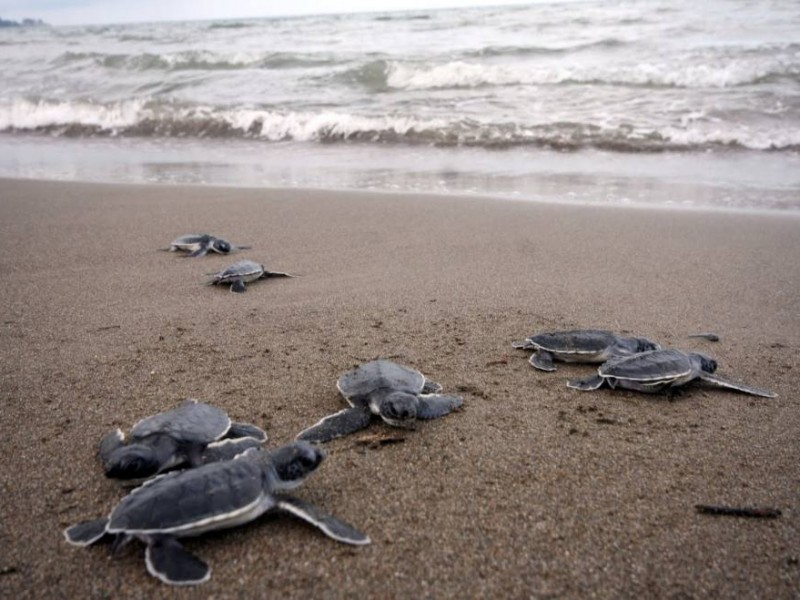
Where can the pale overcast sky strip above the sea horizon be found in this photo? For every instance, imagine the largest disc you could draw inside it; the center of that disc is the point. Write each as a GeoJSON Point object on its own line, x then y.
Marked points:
{"type": "Point", "coordinates": [78, 12]}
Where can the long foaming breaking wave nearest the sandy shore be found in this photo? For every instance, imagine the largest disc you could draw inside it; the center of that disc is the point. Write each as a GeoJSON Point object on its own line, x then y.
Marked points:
{"type": "Point", "coordinates": [141, 118]}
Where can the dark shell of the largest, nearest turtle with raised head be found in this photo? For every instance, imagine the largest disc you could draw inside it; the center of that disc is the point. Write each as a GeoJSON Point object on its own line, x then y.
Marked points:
{"type": "Point", "coordinates": [189, 502]}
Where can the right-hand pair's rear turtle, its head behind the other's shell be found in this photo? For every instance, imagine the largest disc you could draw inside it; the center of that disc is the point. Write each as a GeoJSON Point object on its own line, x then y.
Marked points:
{"type": "Point", "coordinates": [581, 345]}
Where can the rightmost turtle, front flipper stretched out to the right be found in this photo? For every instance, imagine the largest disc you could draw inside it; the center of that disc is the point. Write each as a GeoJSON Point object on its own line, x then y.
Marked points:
{"type": "Point", "coordinates": [660, 370]}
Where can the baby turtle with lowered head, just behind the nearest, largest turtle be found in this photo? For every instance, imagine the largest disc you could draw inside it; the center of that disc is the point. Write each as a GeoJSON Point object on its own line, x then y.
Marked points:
{"type": "Point", "coordinates": [190, 434]}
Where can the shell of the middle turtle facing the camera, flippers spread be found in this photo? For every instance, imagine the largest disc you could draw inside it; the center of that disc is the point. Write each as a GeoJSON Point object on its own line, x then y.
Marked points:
{"type": "Point", "coordinates": [358, 384]}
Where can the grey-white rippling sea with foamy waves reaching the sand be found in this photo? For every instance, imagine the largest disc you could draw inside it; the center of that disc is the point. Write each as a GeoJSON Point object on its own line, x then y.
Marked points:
{"type": "Point", "coordinates": [624, 101]}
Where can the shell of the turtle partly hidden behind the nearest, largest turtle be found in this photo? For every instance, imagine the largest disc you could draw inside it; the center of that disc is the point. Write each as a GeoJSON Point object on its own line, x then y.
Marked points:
{"type": "Point", "coordinates": [193, 421]}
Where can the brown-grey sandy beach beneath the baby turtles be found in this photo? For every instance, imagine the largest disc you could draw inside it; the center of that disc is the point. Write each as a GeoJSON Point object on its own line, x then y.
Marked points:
{"type": "Point", "coordinates": [531, 490]}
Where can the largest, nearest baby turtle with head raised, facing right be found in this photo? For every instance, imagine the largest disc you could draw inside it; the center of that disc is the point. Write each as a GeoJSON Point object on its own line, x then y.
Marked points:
{"type": "Point", "coordinates": [215, 496]}
